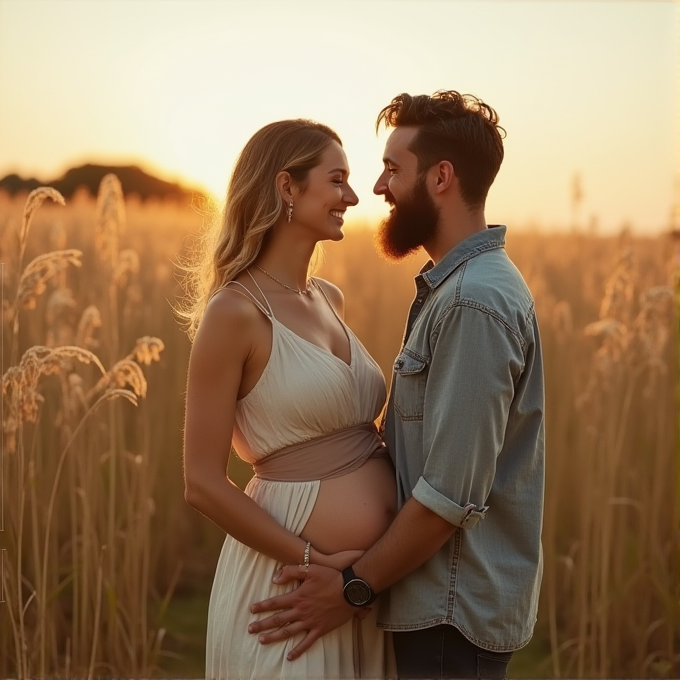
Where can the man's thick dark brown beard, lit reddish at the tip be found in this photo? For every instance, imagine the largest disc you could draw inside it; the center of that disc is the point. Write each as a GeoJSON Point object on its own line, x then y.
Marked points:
{"type": "Point", "coordinates": [410, 224]}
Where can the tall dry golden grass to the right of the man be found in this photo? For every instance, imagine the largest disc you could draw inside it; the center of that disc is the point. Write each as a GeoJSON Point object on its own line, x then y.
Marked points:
{"type": "Point", "coordinates": [610, 592]}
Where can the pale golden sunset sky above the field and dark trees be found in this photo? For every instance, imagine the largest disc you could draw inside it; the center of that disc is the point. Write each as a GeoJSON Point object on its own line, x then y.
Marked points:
{"type": "Point", "coordinates": [179, 86]}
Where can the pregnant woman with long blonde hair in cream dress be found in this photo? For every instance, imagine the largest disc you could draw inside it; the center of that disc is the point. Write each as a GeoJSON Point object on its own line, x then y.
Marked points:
{"type": "Point", "coordinates": [275, 372]}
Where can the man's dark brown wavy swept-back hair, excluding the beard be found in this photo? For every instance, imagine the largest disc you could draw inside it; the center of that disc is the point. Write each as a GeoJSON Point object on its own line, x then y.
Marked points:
{"type": "Point", "coordinates": [454, 127]}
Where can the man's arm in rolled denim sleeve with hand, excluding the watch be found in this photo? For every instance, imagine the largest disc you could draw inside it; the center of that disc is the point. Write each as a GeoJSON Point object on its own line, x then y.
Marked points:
{"type": "Point", "coordinates": [469, 390]}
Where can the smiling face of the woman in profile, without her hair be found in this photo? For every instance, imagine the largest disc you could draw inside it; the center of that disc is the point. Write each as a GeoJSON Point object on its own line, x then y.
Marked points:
{"type": "Point", "coordinates": [321, 206]}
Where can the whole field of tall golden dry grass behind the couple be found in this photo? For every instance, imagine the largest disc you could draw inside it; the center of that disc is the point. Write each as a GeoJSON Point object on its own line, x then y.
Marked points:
{"type": "Point", "coordinates": [106, 570]}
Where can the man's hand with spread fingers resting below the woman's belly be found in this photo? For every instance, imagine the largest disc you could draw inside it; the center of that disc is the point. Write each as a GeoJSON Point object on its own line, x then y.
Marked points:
{"type": "Point", "coordinates": [317, 607]}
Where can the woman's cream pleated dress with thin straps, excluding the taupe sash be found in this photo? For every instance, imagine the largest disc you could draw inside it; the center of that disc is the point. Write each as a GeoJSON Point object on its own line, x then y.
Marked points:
{"type": "Point", "coordinates": [329, 396]}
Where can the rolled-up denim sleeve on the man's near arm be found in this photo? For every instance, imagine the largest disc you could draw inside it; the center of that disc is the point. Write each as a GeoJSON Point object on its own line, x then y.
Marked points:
{"type": "Point", "coordinates": [475, 361]}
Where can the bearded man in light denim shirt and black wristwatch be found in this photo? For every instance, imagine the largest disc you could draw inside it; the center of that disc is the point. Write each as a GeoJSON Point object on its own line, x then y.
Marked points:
{"type": "Point", "coordinates": [464, 423]}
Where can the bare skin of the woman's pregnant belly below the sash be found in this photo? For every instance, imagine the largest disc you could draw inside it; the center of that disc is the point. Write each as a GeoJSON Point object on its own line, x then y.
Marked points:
{"type": "Point", "coordinates": [353, 511]}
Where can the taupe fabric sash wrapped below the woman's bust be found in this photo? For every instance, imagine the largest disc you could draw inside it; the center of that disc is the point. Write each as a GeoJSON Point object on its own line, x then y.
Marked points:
{"type": "Point", "coordinates": [331, 455]}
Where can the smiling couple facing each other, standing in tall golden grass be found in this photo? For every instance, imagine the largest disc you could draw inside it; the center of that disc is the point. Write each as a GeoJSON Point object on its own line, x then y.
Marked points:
{"type": "Point", "coordinates": [352, 549]}
